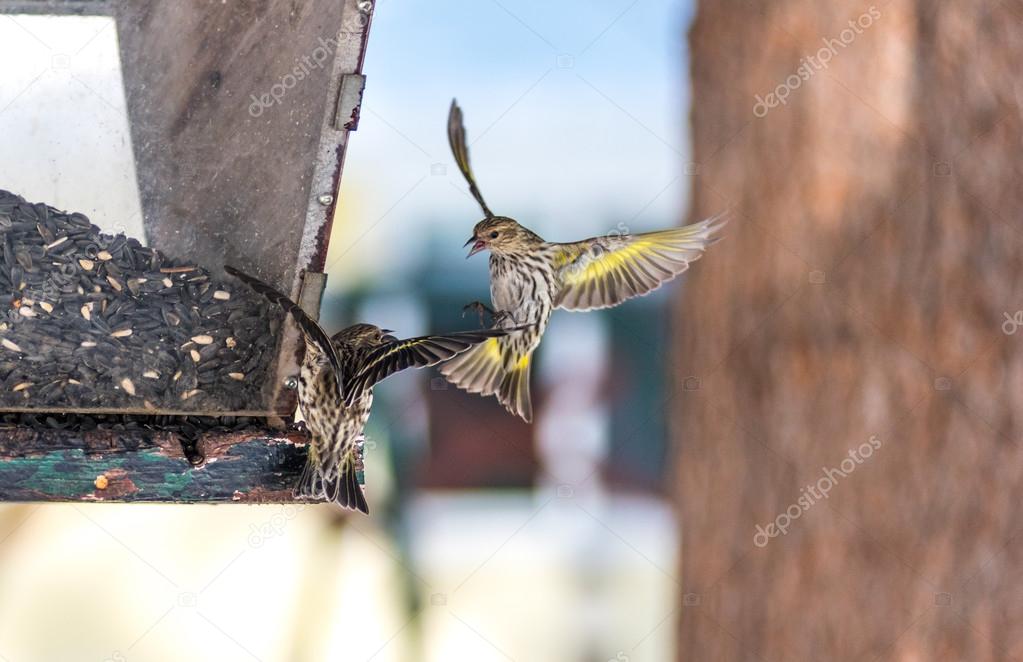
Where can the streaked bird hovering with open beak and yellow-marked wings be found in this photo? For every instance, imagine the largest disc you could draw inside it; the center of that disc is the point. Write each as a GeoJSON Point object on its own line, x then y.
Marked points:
{"type": "Point", "coordinates": [529, 278]}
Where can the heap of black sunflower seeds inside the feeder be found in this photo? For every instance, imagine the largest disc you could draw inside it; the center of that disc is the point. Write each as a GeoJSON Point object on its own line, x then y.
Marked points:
{"type": "Point", "coordinates": [101, 322]}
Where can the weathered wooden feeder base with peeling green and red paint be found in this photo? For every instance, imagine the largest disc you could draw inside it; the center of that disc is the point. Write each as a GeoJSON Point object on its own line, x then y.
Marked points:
{"type": "Point", "coordinates": [260, 466]}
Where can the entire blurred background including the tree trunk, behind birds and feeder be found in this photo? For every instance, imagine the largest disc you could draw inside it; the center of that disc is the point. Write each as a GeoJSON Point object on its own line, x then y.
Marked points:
{"type": "Point", "coordinates": [809, 449]}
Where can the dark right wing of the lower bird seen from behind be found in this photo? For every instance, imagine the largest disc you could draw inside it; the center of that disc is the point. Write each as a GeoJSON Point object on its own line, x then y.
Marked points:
{"type": "Point", "coordinates": [415, 352]}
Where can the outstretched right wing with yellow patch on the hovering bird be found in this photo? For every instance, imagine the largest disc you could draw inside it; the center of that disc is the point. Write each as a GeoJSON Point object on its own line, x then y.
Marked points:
{"type": "Point", "coordinates": [605, 272]}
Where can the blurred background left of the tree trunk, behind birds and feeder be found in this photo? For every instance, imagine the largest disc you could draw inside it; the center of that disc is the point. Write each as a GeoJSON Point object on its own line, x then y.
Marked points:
{"type": "Point", "coordinates": [491, 540]}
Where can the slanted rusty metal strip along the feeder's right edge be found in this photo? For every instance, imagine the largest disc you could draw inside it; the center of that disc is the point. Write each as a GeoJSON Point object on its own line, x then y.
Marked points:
{"type": "Point", "coordinates": [349, 59]}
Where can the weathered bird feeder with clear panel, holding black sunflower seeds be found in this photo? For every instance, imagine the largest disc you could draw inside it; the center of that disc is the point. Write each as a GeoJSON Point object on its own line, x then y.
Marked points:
{"type": "Point", "coordinates": [127, 361]}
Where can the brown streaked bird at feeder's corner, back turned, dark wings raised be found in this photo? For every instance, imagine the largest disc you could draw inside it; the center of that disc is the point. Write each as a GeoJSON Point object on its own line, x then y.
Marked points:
{"type": "Point", "coordinates": [336, 389]}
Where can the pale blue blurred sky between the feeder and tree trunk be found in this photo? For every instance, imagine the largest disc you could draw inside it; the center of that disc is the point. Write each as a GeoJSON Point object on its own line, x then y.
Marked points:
{"type": "Point", "coordinates": [577, 114]}
